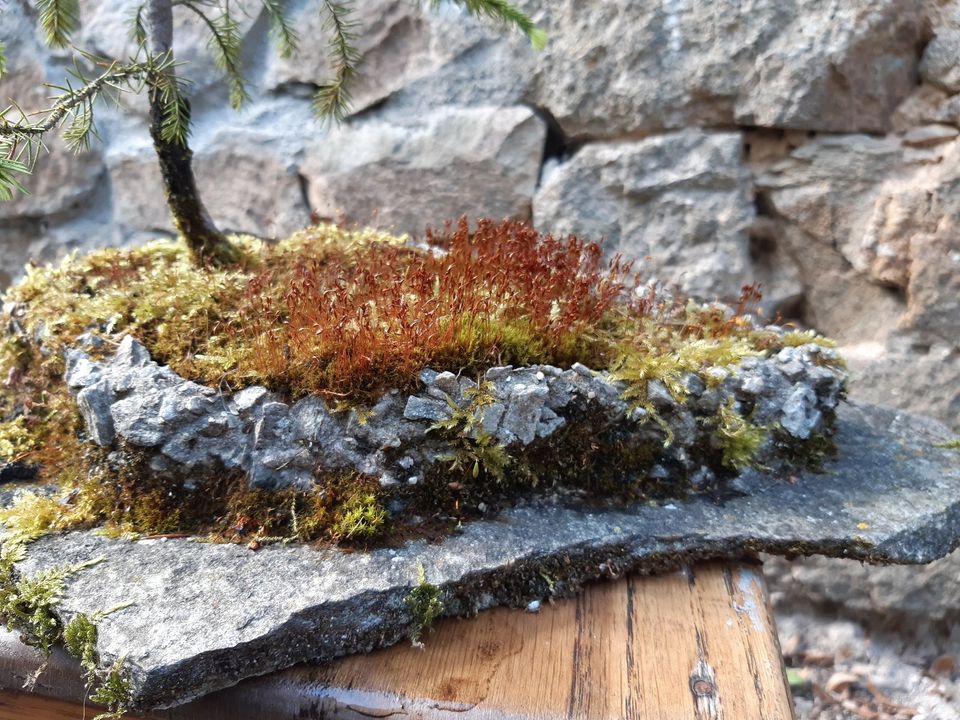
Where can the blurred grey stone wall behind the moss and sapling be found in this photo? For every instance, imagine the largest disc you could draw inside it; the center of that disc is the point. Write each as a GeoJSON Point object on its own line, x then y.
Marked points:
{"type": "Point", "coordinates": [811, 145]}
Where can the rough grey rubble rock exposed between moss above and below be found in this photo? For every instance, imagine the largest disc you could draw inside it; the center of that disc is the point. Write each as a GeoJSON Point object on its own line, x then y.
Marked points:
{"type": "Point", "coordinates": [190, 430]}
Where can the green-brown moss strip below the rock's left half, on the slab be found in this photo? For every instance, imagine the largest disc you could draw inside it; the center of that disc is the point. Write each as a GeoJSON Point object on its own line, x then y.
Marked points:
{"type": "Point", "coordinates": [124, 498]}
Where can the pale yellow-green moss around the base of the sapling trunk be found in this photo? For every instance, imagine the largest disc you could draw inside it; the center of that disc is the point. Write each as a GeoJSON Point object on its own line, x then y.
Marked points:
{"type": "Point", "coordinates": [181, 311]}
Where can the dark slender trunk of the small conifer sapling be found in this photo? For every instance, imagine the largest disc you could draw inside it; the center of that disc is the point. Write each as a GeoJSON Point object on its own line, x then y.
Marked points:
{"type": "Point", "coordinates": [191, 218]}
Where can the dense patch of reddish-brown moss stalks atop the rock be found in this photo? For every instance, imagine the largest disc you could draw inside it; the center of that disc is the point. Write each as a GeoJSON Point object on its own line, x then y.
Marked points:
{"type": "Point", "coordinates": [501, 294]}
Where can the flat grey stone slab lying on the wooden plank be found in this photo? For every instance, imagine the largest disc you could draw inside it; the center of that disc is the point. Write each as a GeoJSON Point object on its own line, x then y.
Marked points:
{"type": "Point", "coordinates": [205, 619]}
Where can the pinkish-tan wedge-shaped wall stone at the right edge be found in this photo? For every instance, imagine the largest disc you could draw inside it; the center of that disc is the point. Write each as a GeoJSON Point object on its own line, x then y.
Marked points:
{"type": "Point", "coordinates": [874, 202]}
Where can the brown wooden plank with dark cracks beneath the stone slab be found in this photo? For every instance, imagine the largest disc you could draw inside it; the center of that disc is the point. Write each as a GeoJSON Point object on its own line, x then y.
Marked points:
{"type": "Point", "coordinates": [699, 644]}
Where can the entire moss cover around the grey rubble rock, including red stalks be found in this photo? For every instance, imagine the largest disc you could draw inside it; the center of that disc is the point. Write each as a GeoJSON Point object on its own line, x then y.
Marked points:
{"type": "Point", "coordinates": [351, 316]}
